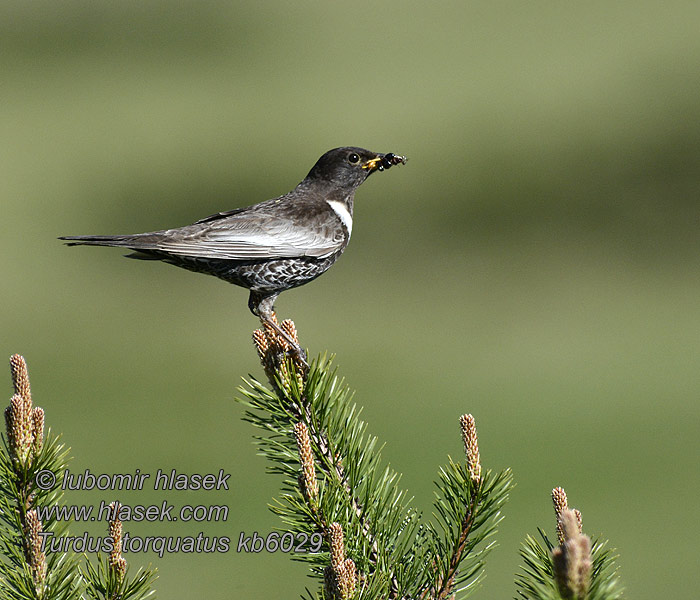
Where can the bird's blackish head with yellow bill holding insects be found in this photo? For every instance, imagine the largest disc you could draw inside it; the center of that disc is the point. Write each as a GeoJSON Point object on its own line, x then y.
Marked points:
{"type": "Point", "coordinates": [349, 166]}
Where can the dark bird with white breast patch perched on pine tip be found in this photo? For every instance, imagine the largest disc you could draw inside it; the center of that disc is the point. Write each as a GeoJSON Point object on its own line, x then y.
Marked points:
{"type": "Point", "coordinates": [271, 246]}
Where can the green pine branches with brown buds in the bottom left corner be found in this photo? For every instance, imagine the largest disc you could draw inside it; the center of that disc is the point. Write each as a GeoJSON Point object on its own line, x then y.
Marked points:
{"type": "Point", "coordinates": [32, 466]}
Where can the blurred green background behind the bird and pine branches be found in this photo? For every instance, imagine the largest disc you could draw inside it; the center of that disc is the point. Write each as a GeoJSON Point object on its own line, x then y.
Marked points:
{"type": "Point", "coordinates": [535, 262]}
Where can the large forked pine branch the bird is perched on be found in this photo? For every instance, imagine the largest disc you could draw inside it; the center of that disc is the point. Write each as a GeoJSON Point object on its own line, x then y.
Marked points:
{"type": "Point", "coordinates": [334, 485]}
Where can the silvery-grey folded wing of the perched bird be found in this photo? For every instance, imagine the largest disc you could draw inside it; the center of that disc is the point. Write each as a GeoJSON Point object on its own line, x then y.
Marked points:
{"type": "Point", "coordinates": [250, 237]}
